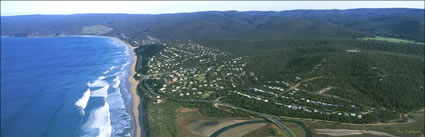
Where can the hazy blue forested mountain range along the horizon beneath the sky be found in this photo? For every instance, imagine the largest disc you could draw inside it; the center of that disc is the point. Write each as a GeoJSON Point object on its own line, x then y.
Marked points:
{"type": "Point", "coordinates": [294, 24]}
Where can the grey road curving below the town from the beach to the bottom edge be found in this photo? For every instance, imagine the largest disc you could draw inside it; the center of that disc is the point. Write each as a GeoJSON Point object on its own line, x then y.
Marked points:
{"type": "Point", "coordinates": [268, 117]}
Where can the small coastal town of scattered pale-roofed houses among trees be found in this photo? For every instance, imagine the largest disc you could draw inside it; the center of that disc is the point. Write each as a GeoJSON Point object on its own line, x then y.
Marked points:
{"type": "Point", "coordinates": [186, 70]}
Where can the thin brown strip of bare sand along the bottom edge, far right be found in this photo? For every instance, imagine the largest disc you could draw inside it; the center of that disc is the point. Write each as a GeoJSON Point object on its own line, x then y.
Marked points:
{"type": "Point", "coordinates": [348, 132]}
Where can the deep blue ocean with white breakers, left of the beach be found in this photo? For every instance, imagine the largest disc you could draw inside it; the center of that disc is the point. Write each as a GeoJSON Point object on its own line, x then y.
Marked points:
{"type": "Point", "coordinates": [67, 86]}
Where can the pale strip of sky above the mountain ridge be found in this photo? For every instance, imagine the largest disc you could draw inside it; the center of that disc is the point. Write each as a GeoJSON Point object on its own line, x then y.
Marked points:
{"type": "Point", "coordinates": [11, 8]}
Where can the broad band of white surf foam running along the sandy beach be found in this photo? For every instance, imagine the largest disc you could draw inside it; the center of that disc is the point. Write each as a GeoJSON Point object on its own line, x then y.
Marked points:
{"type": "Point", "coordinates": [112, 119]}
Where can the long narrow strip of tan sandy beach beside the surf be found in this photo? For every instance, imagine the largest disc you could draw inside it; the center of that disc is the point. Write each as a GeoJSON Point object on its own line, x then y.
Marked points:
{"type": "Point", "coordinates": [133, 90]}
